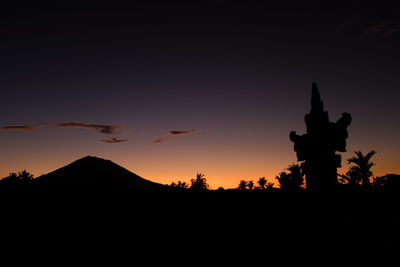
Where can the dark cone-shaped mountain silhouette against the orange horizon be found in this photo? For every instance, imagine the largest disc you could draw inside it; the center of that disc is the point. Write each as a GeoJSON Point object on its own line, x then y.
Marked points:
{"type": "Point", "coordinates": [98, 173]}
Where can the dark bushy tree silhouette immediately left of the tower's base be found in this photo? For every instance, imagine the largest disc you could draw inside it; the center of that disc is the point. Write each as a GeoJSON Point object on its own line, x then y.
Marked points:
{"type": "Point", "coordinates": [293, 180]}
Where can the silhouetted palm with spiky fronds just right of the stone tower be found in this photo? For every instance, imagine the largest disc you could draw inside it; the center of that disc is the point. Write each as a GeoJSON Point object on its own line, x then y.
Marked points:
{"type": "Point", "coordinates": [360, 172]}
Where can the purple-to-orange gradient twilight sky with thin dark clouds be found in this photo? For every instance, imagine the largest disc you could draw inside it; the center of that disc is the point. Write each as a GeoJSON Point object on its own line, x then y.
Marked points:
{"type": "Point", "coordinates": [168, 89]}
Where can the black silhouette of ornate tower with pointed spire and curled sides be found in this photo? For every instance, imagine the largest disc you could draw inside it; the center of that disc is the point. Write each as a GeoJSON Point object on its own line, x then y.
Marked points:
{"type": "Point", "coordinates": [317, 148]}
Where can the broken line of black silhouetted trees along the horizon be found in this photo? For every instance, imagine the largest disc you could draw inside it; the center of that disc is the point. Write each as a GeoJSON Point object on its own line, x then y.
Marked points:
{"type": "Point", "coordinates": [359, 176]}
